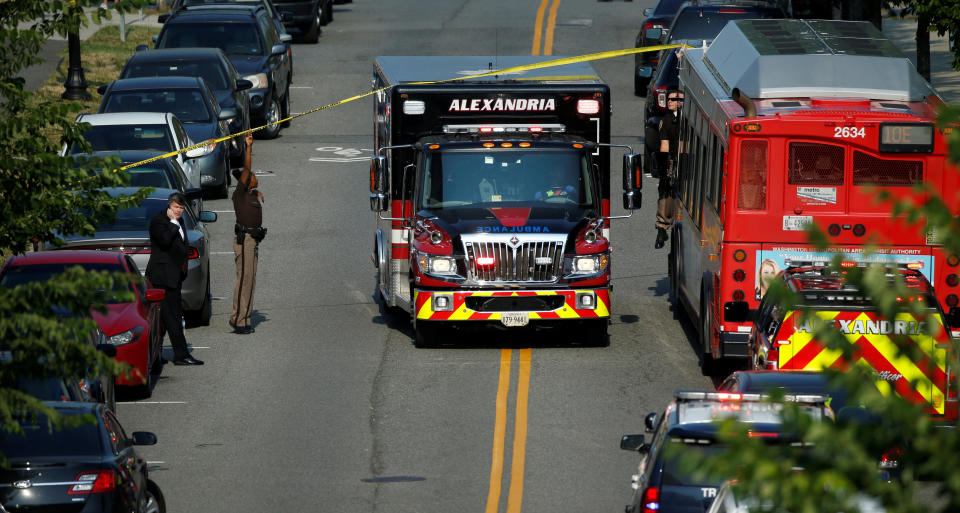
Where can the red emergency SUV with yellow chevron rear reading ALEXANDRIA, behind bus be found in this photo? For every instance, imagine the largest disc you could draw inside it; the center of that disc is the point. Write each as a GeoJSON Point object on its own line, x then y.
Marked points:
{"type": "Point", "coordinates": [907, 355]}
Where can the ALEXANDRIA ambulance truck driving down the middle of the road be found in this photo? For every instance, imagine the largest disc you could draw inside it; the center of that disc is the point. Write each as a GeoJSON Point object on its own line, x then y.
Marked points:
{"type": "Point", "coordinates": [497, 191]}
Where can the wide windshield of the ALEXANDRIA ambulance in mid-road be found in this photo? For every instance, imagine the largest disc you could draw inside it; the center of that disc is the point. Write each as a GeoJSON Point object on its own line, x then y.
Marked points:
{"type": "Point", "coordinates": [506, 178]}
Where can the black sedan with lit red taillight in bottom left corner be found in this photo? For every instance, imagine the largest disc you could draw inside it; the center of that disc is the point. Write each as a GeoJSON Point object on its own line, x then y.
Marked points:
{"type": "Point", "coordinates": [85, 469]}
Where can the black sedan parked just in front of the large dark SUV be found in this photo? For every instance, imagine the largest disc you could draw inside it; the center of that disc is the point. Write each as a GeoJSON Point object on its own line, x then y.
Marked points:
{"type": "Point", "coordinates": [213, 66]}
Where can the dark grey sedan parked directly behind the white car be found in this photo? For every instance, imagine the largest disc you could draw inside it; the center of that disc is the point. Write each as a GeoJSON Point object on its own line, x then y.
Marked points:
{"type": "Point", "coordinates": [194, 104]}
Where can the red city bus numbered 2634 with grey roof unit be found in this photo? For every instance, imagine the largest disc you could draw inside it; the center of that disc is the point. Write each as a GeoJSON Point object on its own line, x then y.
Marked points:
{"type": "Point", "coordinates": [788, 123]}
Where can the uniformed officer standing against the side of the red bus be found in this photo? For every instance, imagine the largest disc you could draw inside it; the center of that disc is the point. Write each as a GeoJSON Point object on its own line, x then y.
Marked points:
{"type": "Point", "coordinates": [669, 144]}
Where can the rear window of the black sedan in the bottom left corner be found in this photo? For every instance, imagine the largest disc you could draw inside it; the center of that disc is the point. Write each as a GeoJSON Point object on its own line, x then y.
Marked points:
{"type": "Point", "coordinates": [40, 440]}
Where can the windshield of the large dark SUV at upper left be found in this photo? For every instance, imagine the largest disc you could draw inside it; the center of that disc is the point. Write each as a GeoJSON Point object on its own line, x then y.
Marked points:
{"type": "Point", "coordinates": [232, 38]}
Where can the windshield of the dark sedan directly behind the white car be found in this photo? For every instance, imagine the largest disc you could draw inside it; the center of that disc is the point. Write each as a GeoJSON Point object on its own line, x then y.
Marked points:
{"type": "Point", "coordinates": [187, 104]}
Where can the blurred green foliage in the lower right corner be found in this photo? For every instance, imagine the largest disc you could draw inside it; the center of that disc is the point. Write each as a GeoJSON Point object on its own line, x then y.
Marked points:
{"type": "Point", "coordinates": [838, 462]}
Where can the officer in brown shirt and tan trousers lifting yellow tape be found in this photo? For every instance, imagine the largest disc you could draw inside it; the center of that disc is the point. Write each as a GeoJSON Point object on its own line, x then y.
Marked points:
{"type": "Point", "coordinates": [247, 201]}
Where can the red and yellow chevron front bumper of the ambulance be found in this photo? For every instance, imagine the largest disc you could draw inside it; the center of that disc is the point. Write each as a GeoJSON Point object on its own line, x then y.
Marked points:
{"type": "Point", "coordinates": [512, 307]}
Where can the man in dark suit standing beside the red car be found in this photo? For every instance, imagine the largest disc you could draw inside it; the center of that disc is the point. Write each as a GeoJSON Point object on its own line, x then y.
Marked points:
{"type": "Point", "coordinates": [167, 268]}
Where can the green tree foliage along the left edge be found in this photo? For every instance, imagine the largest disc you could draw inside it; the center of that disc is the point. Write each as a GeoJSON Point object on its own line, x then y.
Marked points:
{"type": "Point", "coordinates": [44, 197]}
